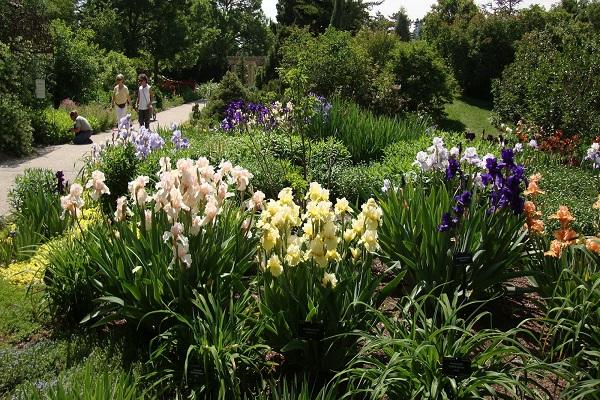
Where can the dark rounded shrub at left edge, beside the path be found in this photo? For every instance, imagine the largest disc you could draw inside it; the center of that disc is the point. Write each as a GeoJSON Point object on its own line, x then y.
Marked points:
{"type": "Point", "coordinates": [16, 134]}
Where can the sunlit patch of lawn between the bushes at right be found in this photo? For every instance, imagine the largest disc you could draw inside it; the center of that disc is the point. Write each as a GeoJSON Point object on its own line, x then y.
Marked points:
{"type": "Point", "coordinates": [468, 114]}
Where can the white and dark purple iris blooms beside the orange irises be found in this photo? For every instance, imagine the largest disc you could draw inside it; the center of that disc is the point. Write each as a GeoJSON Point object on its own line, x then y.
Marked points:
{"type": "Point", "coordinates": [502, 179]}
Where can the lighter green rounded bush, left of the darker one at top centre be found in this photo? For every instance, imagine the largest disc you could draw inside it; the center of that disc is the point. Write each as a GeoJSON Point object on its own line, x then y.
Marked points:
{"type": "Point", "coordinates": [331, 62]}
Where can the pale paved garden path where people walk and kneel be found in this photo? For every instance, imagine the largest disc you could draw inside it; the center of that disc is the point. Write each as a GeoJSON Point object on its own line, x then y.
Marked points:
{"type": "Point", "coordinates": [68, 157]}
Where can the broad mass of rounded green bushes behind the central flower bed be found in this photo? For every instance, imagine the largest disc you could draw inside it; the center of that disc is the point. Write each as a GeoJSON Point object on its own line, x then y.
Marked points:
{"type": "Point", "coordinates": [374, 69]}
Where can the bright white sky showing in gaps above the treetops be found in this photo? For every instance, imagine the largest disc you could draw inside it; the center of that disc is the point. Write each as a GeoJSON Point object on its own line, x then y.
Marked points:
{"type": "Point", "coordinates": [414, 8]}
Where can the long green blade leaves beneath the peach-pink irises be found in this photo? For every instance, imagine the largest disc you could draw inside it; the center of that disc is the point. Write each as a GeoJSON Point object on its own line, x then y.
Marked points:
{"type": "Point", "coordinates": [135, 275]}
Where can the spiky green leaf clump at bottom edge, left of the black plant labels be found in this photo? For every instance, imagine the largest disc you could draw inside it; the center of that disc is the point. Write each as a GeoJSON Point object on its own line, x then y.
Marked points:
{"type": "Point", "coordinates": [215, 350]}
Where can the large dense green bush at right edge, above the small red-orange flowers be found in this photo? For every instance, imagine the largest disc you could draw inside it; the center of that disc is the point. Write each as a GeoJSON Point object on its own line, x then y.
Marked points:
{"type": "Point", "coordinates": [553, 82]}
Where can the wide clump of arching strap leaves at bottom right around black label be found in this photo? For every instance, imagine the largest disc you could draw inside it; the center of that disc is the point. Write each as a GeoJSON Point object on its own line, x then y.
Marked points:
{"type": "Point", "coordinates": [402, 358]}
